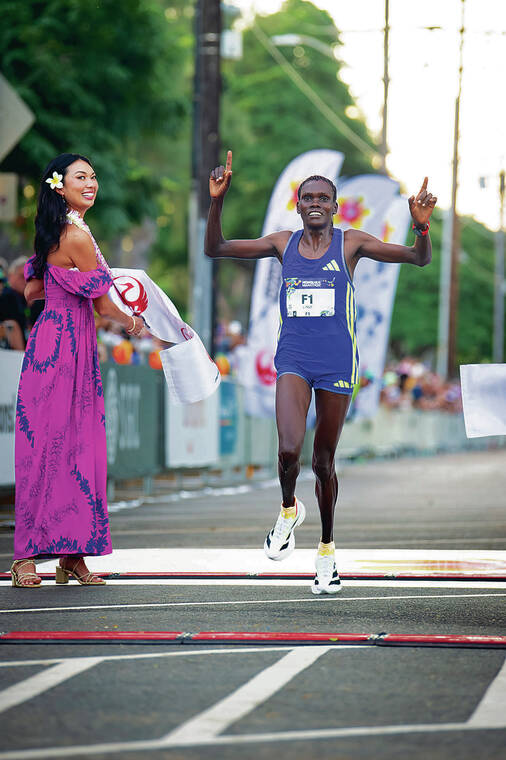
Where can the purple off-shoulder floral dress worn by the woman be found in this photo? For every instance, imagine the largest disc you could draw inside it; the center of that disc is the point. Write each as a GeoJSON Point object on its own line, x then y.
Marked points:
{"type": "Point", "coordinates": [60, 456]}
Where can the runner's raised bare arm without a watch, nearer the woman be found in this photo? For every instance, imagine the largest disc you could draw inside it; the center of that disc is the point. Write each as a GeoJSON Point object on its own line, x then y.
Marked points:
{"type": "Point", "coordinates": [215, 245]}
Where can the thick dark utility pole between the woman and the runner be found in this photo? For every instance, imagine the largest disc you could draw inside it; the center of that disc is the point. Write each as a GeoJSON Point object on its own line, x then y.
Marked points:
{"type": "Point", "coordinates": [205, 154]}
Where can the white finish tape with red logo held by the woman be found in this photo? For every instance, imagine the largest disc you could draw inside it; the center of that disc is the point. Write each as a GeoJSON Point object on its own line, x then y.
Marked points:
{"type": "Point", "coordinates": [190, 373]}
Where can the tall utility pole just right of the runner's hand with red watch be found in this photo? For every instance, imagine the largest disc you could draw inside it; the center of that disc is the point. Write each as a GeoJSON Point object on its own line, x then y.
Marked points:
{"type": "Point", "coordinates": [455, 228]}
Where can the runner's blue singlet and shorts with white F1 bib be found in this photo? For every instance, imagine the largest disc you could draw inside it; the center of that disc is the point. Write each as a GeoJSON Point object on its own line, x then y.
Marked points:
{"type": "Point", "coordinates": [318, 337]}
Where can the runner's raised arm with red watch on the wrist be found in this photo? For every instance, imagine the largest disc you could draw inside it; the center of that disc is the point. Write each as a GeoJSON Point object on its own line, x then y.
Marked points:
{"type": "Point", "coordinates": [360, 244]}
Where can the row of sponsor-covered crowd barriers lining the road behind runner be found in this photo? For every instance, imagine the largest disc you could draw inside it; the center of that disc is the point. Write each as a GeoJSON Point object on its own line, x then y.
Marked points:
{"type": "Point", "coordinates": [147, 434]}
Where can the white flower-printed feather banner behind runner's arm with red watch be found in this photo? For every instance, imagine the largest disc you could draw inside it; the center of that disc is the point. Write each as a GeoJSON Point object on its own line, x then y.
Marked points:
{"type": "Point", "coordinates": [371, 203]}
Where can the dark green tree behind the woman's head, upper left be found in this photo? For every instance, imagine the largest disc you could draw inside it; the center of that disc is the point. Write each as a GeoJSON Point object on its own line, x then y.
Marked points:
{"type": "Point", "coordinates": [103, 79]}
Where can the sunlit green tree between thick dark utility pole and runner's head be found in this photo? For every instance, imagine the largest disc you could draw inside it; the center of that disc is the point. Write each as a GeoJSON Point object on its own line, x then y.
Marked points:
{"type": "Point", "coordinates": [268, 121]}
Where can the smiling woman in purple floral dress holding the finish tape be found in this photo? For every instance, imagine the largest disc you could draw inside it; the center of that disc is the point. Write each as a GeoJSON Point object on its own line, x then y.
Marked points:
{"type": "Point", "coordinates": [60, 459]}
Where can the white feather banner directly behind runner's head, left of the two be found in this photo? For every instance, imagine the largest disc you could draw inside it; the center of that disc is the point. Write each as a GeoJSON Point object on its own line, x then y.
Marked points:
{"type": "Point", "coordinates": [256, 360]}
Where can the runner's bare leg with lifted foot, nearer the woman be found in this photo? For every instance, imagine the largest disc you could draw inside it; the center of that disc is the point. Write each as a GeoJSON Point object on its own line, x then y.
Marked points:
{"type": "Point", "coordinates": [293, 396]}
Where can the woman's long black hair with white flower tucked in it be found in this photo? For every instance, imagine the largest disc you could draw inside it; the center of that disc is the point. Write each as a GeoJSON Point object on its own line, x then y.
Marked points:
{"type": "Point", "coordinates": [51, 211]}
